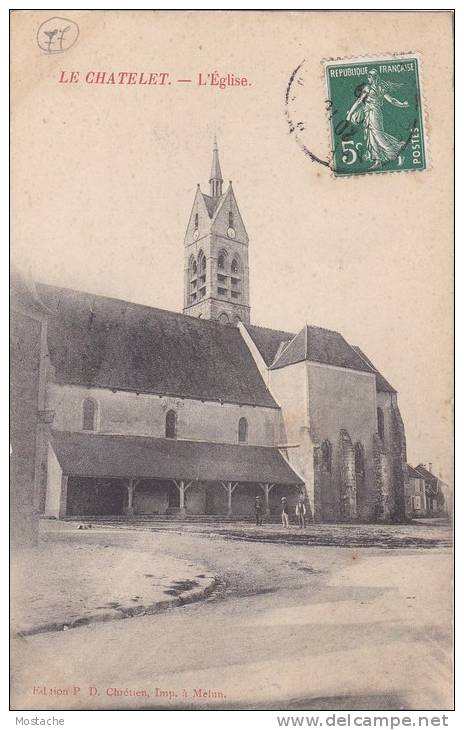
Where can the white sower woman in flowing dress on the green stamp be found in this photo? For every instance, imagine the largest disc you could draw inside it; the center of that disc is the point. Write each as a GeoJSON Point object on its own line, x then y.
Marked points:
{"type": "Point", "coordinates": [367, 110]}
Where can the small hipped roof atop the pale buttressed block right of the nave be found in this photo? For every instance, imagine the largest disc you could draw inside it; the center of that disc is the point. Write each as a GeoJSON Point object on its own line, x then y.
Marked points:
{"type": "Point", "coordinates": [320, 345]}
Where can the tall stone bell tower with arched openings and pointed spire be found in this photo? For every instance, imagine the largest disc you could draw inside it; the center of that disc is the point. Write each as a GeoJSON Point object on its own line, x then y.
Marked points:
{"type": "Point", "coordinates": [216, 254]}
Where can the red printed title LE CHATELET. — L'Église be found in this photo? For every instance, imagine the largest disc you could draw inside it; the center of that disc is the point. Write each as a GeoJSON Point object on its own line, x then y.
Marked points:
{"type": "Point", "coordinates": [151, 78]}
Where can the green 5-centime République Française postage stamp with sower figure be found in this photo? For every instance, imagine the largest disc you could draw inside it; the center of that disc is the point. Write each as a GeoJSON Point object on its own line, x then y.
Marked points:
{"type": "Point", "coordinates": [376, 115]}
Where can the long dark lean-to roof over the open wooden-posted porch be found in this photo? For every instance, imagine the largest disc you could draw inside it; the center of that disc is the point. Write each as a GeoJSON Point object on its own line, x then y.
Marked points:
{"type": "Point", "coordinates": [108, 455]}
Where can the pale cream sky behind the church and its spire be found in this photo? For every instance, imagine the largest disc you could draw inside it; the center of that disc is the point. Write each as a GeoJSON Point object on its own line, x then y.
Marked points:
{"type": "Point", "coordinates": [104, 178]}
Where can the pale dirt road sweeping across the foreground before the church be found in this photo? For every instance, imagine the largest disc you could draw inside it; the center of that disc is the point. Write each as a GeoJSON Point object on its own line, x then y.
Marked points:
{"type": "Point", "coordinates": [293, 626]}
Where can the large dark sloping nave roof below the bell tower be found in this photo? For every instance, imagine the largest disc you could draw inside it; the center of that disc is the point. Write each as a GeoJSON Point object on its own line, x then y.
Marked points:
{"type": "Point", "coordinates": [102, 342]}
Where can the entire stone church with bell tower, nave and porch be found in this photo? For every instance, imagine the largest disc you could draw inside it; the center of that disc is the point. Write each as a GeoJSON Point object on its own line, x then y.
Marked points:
{"type": "Point", "coordinates": [153, 412]}
